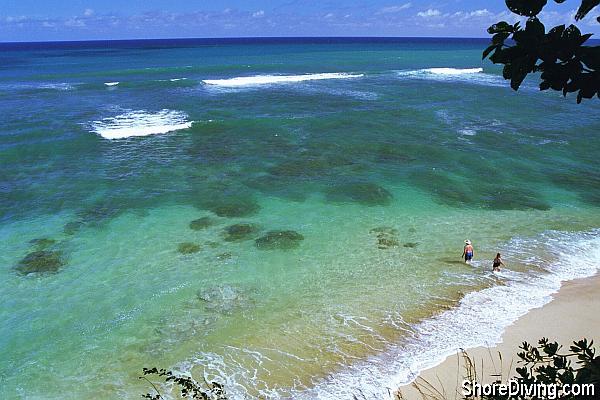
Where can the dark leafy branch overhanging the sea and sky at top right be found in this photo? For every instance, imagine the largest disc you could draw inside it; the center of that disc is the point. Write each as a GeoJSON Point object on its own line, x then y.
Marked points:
{"type": "Point", "coordinates": [560, 55]}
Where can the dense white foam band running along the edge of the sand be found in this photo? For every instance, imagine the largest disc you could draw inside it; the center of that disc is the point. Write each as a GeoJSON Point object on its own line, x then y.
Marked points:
{"type": "Point", "coordinates": [486, 313]}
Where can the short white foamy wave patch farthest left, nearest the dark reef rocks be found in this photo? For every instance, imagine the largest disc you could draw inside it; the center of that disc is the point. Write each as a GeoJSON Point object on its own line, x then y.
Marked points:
{"type": "Point", "coordinates": [140, 123]}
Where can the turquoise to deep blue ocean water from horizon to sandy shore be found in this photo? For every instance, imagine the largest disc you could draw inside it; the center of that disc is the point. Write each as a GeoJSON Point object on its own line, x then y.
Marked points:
{"type": "Point", "coordinates": [375, 158]}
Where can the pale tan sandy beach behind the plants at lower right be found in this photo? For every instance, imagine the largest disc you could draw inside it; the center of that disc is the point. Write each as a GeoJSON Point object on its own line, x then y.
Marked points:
{"type": "Point", "coordinates": [571, 315]}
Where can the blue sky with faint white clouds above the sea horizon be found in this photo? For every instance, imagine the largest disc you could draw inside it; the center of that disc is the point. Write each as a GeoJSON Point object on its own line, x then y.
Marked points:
{"type": "Point", "coordinates": [46, 20]}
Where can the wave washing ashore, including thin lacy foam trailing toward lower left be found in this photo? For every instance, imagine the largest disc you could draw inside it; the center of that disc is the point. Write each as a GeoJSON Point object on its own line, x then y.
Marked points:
{"type": "Point", "coordinates": [554, 257]}
